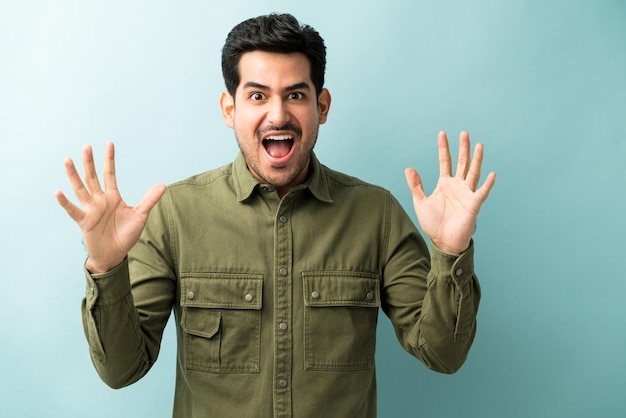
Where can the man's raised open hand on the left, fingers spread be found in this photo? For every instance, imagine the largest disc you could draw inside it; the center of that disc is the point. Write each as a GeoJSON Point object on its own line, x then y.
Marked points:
{"type": "Point", "coordinates": [110, 227]}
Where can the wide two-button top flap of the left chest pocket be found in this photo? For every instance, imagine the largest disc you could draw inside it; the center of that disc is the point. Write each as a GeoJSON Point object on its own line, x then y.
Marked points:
{"type": "Point", "coordinates": [218, 290]}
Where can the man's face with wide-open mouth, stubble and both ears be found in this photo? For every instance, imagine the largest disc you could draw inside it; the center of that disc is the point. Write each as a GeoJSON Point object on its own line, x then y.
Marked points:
{"type": "Point", "coordinates": [276, 116]}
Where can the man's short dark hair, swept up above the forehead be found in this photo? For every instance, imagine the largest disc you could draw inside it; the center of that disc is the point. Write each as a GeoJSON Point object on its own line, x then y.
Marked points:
{"type": "Point", "coordinates": [273, 33]}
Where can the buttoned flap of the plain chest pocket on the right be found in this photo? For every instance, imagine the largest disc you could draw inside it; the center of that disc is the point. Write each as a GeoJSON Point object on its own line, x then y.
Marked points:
{"type": "Point", "coordinates": [341, 289]}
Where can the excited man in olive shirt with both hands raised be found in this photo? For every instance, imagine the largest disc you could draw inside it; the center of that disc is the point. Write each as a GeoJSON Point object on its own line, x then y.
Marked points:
{"type": "Point", "coordinates": [275, 266]}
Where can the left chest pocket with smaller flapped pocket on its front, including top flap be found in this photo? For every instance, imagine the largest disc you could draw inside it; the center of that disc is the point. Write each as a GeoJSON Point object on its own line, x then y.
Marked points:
{"type": "Point", "coordinates": [221, 320]}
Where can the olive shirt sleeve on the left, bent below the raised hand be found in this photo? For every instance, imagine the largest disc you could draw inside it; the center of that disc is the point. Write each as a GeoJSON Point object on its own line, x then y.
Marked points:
{"type": "Point", "coordinates": [125, 312]}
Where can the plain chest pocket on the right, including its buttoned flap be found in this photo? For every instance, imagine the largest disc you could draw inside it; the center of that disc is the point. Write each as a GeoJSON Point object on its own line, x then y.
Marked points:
{"type": "Point", "coordinates": [340, 317]}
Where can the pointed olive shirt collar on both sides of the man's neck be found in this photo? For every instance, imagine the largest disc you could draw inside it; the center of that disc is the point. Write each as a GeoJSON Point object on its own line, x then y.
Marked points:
{"type": "Point", "coordinates": [245, 183]}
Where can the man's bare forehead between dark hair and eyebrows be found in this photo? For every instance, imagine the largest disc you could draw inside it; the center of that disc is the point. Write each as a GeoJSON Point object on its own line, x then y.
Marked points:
{"type": "Point", "coordinates": [274, 70]}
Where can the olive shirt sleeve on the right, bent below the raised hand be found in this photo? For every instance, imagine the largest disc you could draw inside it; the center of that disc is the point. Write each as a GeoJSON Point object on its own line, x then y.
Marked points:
{"type": "Point", "coordinates": [431, 298]}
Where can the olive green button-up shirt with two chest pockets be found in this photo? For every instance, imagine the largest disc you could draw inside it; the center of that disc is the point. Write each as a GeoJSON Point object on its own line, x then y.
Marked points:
{"type": "Point", "coordinates": [276, 301]}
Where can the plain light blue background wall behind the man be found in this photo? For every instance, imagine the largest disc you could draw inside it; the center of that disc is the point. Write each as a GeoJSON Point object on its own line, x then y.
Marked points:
{"type": "Point", "coordinates": [541, 83]}
